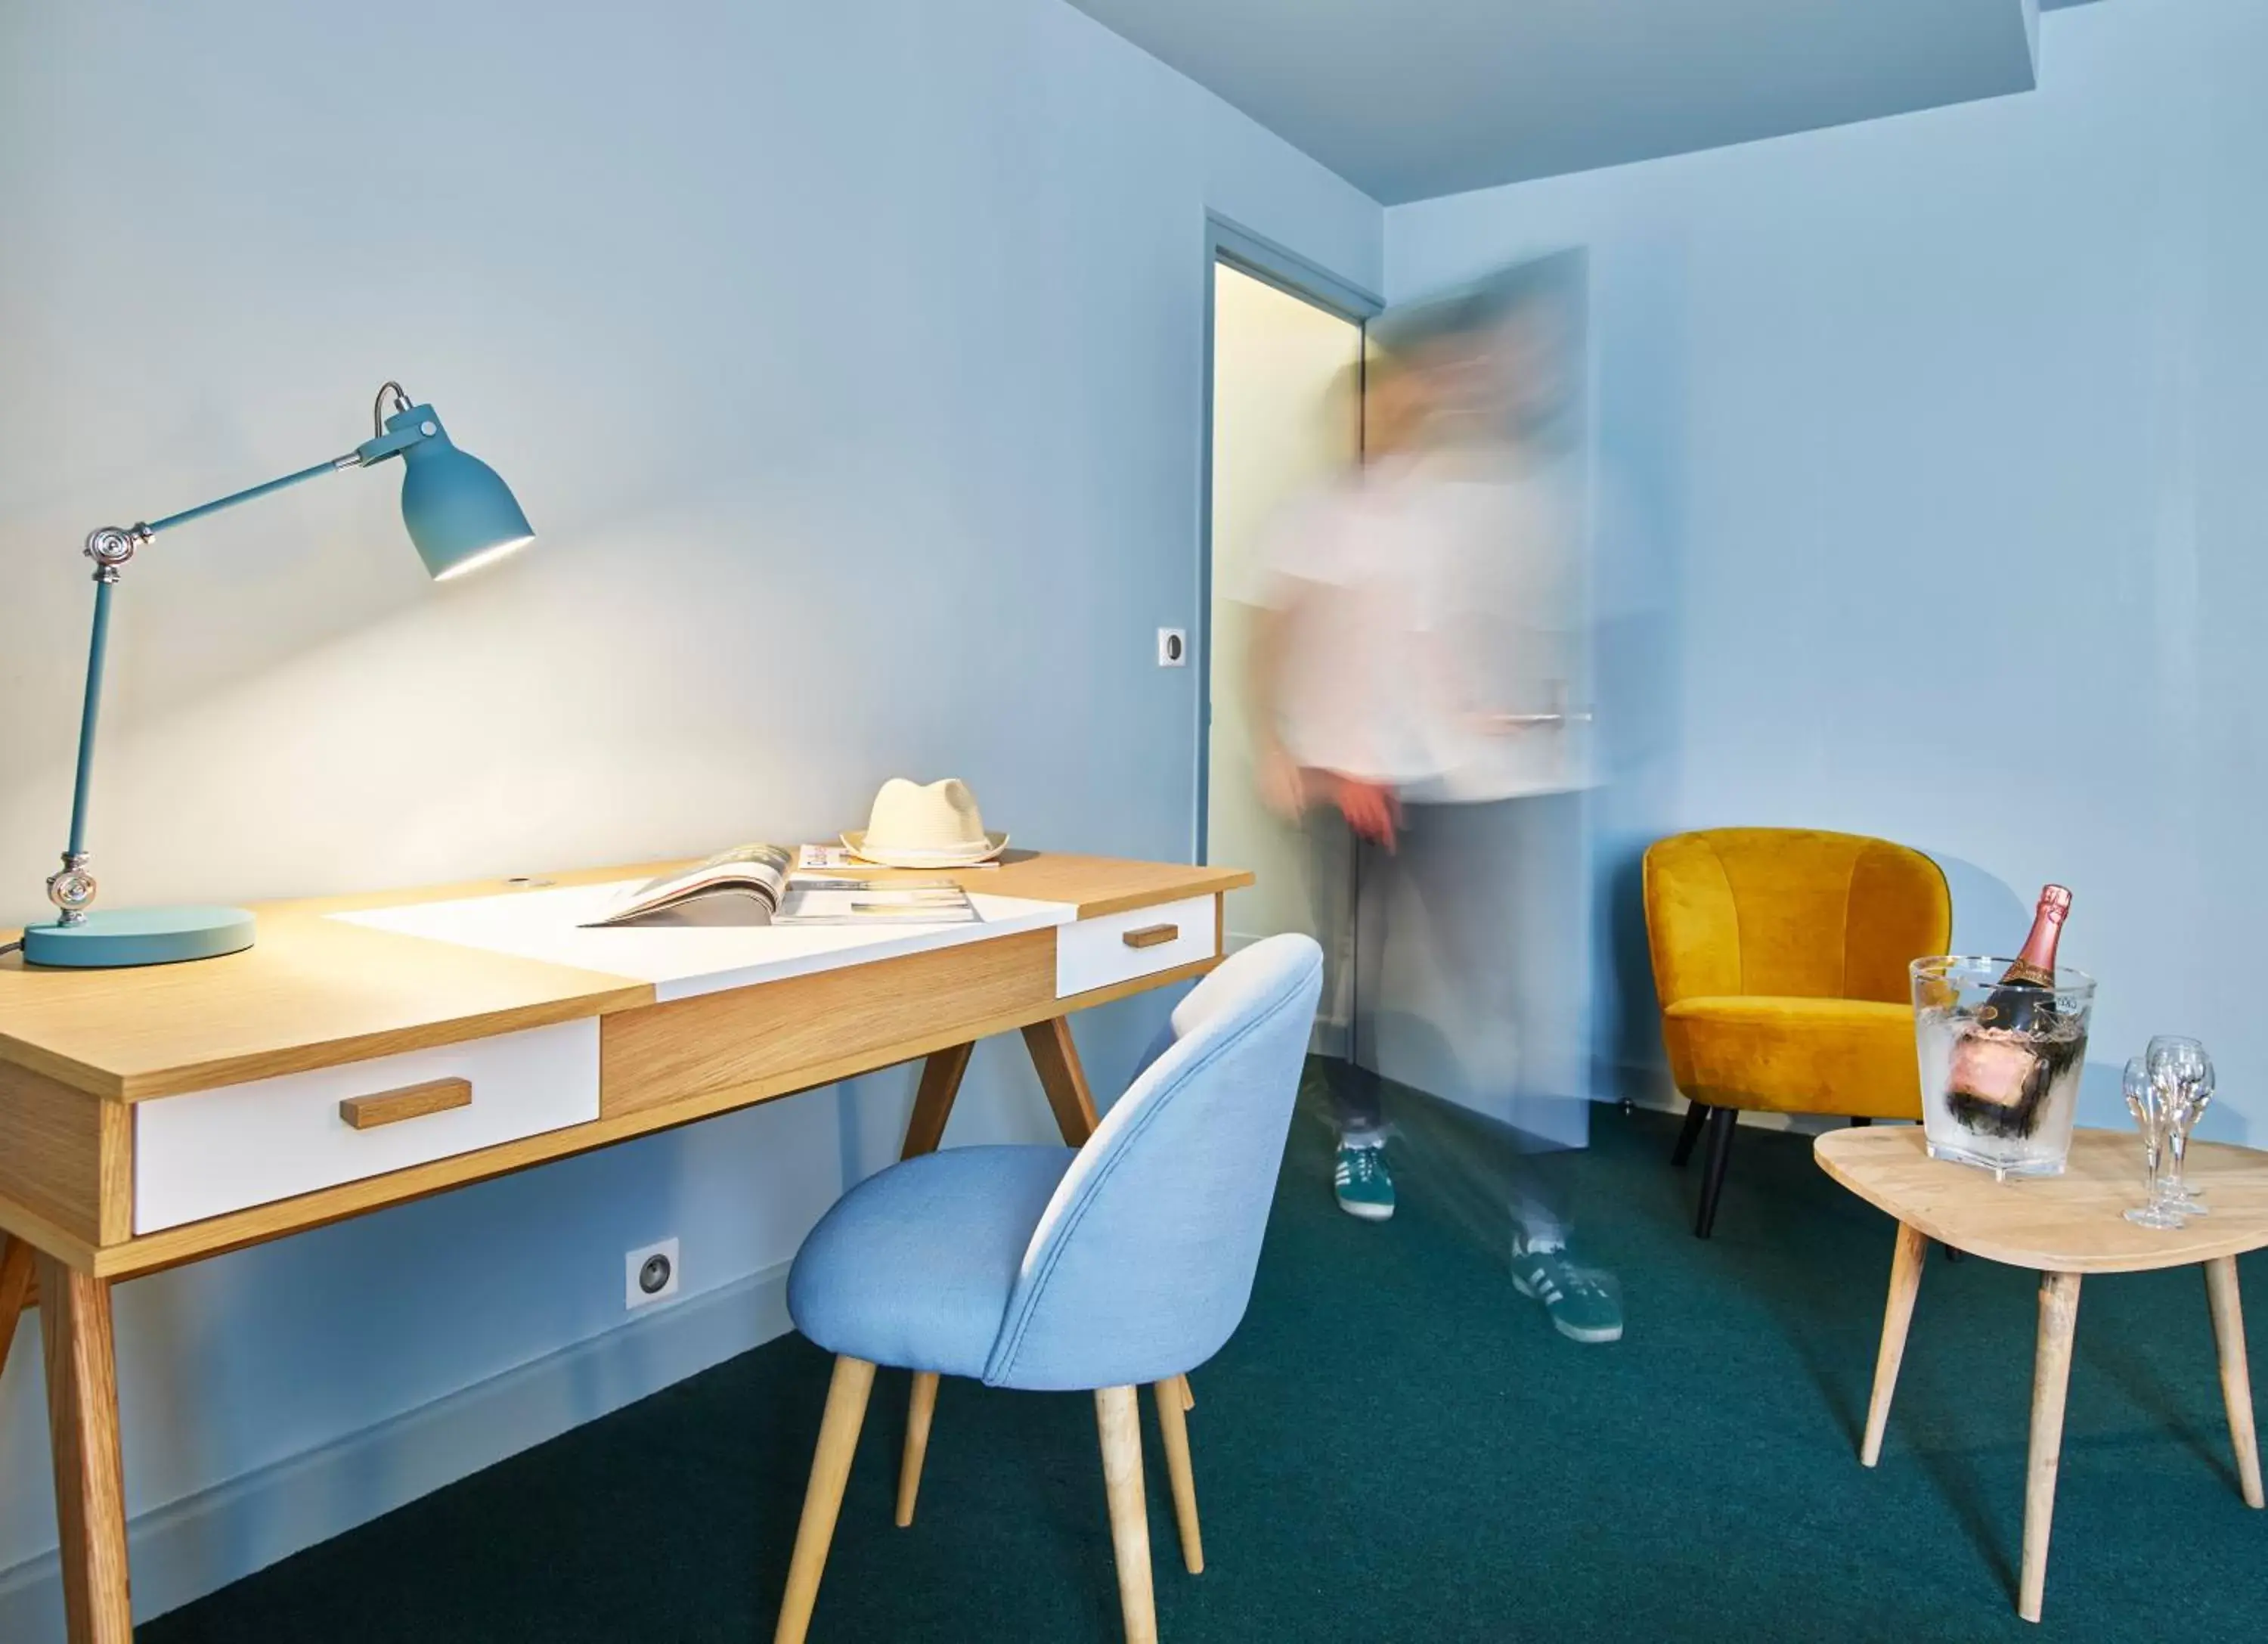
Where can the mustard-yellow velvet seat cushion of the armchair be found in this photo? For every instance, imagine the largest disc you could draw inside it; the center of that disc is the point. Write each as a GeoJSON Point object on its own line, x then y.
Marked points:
{"type": "Point", "coordinates": [1795, 1056]}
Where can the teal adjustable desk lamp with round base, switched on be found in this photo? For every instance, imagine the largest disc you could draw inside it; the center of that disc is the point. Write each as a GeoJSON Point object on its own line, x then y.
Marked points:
{"type": "Point", "coordinates": [459, 518]}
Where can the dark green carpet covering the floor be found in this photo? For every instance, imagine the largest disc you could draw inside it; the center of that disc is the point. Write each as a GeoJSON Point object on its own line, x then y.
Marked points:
{"type": "Point", "coordinates": [1398, 1448]}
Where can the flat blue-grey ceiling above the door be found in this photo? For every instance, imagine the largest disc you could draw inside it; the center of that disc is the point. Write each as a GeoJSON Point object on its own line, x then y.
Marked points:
{"type": "Point", "coordinates": [1419, 99]}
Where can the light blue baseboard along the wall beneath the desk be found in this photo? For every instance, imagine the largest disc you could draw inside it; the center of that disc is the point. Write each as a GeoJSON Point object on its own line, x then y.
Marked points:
{"type": "Point", "coordinates": [201, 1543]}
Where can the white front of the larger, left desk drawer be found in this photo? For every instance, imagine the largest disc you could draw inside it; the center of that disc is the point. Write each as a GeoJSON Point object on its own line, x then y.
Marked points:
{"type": "Point", "coordinates": [223, 1151]}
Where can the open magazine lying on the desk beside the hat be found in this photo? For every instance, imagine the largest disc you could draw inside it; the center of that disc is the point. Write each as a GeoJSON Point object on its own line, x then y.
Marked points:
{"type": "Point", "coordinates": [763, 888]}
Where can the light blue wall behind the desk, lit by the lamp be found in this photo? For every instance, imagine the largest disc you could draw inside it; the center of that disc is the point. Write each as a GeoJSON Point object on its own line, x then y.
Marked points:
{"type": "Point", "coordinates": [847, 362]}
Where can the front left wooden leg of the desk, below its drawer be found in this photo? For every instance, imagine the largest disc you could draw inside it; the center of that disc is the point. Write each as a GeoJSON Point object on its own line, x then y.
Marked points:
{"type": "Point", "coordinates": [90, 1475]}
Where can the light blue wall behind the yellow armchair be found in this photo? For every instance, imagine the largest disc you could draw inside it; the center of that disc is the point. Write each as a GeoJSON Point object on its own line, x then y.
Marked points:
{"type": "Point", "coordinates": [1938, 502]}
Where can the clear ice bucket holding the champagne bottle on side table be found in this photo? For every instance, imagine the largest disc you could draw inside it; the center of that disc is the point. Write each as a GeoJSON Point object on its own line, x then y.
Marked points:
{"type": "Point", "coordinates": [1999, 1062]}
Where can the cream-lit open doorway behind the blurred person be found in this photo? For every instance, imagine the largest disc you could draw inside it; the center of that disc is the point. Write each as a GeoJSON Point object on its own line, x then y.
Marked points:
{"type": "Point", "coordinates": [1285, 418]}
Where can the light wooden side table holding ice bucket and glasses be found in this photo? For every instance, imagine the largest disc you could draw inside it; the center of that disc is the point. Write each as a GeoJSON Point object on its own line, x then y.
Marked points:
{"type": "Point", "coordinates": [2063, 1228]}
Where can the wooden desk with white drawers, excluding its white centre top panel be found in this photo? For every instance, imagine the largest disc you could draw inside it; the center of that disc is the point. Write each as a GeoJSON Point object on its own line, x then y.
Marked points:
{"type": "Point", "coordinates": [178, 1112]}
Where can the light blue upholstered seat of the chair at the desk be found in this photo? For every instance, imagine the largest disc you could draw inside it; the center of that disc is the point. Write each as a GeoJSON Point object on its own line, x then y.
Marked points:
{"type": "Point", "coordinates": [915, 1266]}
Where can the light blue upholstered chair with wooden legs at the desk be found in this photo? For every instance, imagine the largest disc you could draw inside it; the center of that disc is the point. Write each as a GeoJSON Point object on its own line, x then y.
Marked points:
{"type": "Point", "coordinates": [1051, 1269]}
